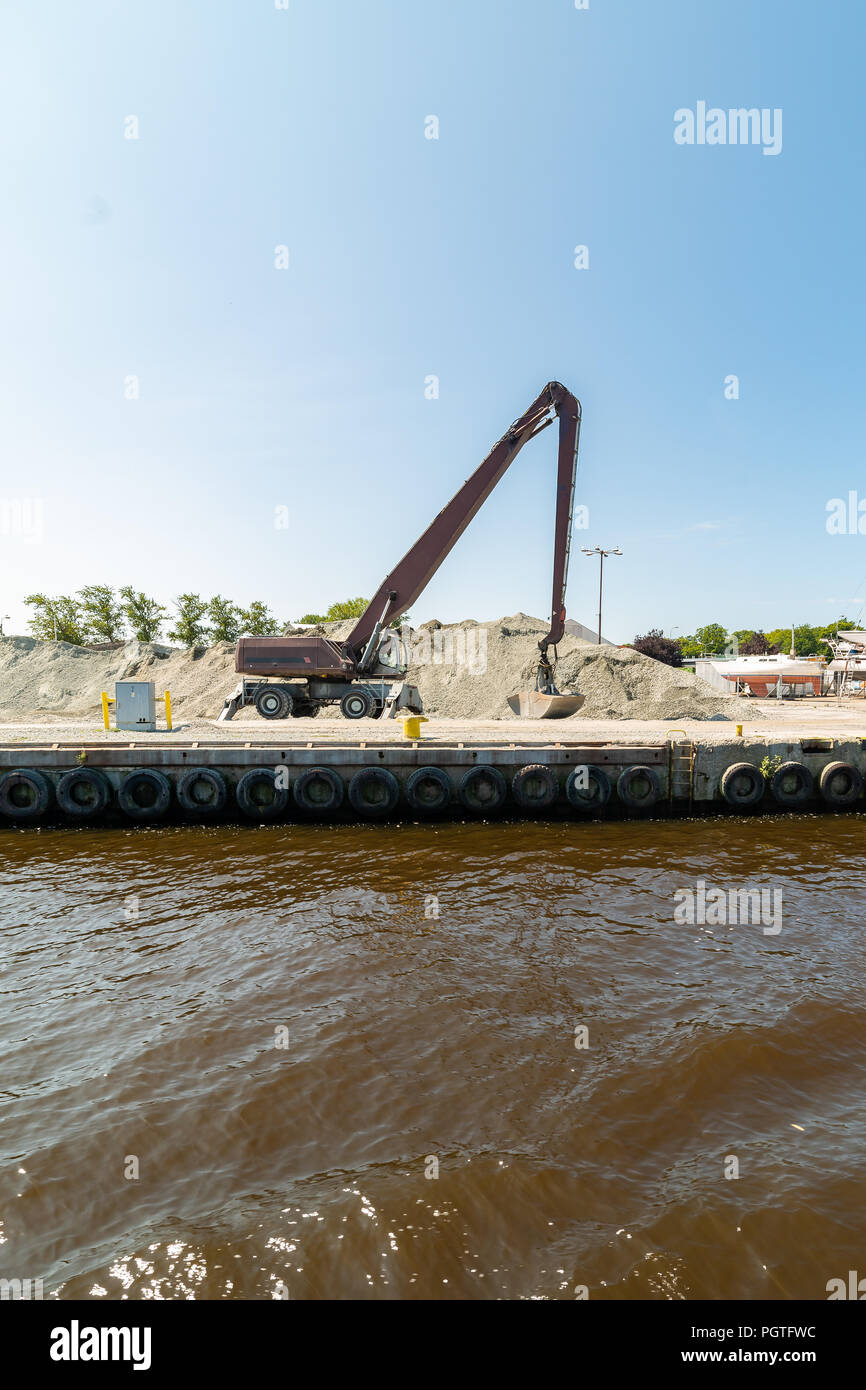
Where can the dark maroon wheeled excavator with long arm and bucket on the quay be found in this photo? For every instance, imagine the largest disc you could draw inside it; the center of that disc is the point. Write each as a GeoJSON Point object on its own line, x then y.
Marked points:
{"type": "Point", "coordinates": [295, 676]}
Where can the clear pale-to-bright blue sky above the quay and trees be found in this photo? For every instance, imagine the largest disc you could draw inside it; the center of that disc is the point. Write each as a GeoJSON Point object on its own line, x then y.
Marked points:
{"type": "Point", "coordinates": [305, 389]}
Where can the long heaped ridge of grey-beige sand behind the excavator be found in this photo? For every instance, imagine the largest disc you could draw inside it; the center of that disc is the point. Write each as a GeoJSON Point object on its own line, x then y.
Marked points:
{"type": "Point", "coordinates": [465, 671]}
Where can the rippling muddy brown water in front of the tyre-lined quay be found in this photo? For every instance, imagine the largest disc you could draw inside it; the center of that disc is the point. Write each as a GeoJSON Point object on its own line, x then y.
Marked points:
{"type": "Point", "coordinates": [236, 1060]}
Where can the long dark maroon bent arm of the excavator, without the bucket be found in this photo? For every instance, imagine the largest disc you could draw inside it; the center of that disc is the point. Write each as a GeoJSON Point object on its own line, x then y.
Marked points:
{"type": "Point", "coordinates": [411, 578]}
